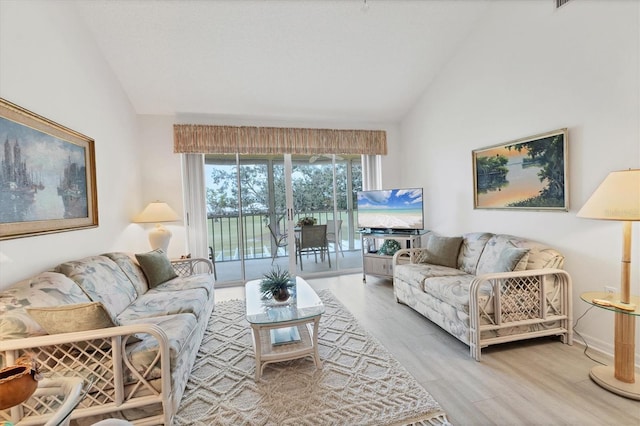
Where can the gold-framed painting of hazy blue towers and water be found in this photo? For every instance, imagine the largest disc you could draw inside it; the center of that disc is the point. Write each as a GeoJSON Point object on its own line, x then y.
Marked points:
{"type": "Point", "coordinates": [47, 176]}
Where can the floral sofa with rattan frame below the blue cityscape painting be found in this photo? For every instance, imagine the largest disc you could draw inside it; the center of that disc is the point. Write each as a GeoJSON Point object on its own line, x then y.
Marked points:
{"type": "Point", "coordinates": [131, 327]}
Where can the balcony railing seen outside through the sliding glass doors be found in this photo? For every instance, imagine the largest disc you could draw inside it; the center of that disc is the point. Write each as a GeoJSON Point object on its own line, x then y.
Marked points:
{"type": "Point", "coordinates": [224, 233]}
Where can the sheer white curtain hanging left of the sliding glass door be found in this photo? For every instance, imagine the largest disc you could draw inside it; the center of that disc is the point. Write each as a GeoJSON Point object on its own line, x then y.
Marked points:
{"type": "Point", "coordinates": [195, 204]}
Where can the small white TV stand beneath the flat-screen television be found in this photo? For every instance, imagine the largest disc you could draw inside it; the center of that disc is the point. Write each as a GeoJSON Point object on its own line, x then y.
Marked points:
{"type": "Point", "coordinates": [379, 264]}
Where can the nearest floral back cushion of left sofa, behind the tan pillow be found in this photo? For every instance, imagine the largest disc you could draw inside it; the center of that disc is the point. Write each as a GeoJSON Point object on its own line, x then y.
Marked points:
{"type": "Point", "coordinates": [45, 289]}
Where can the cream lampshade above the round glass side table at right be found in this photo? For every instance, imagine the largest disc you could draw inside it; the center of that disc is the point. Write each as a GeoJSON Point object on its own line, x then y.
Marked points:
{"type": "Point", "coordinates": [617, 198]}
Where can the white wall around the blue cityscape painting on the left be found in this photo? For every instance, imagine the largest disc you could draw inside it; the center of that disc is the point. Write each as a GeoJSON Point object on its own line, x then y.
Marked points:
{"type": "Point", "coordinates": [49, 65]}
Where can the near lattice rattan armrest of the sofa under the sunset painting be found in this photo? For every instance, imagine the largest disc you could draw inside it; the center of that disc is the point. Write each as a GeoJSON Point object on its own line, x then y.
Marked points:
{"type": "Point", "coordinates": [520, 298]}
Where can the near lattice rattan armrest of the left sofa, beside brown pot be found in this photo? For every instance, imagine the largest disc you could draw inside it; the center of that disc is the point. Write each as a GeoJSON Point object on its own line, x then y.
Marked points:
{"type": "Point", "coordinates": [98, 357]}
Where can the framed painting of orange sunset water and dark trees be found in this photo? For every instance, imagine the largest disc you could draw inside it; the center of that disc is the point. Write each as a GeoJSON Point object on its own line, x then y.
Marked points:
{"type": "Point", "coordinates": [525, 174]}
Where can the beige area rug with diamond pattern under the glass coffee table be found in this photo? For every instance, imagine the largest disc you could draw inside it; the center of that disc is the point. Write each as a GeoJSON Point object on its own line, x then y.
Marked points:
{"type": "Point", "coordinates": [360, 383]}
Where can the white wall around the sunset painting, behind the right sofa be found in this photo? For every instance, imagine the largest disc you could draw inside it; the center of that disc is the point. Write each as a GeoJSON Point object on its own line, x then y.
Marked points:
{"type": "Point", "coordinates": [527, 69]}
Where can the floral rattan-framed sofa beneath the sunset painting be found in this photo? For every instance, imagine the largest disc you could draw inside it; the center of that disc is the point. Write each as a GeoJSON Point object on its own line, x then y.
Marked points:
{"type": "Point", "coordinates": [486, 288]}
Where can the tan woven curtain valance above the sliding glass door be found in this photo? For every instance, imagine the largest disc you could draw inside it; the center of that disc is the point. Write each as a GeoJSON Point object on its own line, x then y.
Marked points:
{"type": "Point", "coordinates": [210, 139]}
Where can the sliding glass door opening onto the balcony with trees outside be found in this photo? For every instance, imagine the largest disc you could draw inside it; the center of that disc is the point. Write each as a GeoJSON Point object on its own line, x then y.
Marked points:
{"type": "Point", "coordinates": [251, 225]}
